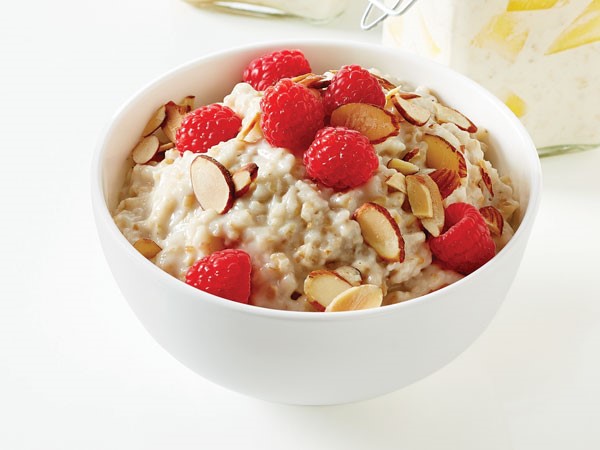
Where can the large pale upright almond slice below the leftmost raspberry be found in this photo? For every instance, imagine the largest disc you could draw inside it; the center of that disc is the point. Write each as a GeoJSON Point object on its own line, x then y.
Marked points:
{"type": "Point", "coordinates": [212, 184]}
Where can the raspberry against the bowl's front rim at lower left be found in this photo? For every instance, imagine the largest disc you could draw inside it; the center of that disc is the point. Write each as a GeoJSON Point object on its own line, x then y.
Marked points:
{"type": "Point", "coordinates": [225, 273]}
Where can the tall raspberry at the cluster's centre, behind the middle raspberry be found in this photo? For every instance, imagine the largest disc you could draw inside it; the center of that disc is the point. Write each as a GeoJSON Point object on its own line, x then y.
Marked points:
{"type": "Point", "coordinates": [292, 115]}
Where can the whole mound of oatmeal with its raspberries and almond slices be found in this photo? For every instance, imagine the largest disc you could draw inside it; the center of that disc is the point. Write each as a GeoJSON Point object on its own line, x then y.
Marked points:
{"type": "Point", "coordinates": [339, 191]}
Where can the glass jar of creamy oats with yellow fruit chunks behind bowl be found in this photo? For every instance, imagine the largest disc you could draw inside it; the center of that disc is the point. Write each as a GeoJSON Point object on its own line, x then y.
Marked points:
{"type": "Point", "coordinates": [541, 57]}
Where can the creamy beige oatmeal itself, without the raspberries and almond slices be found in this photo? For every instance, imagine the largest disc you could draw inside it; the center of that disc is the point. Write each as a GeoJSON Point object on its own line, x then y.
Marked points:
{"type": "Point", "coordinates": [291, 226]}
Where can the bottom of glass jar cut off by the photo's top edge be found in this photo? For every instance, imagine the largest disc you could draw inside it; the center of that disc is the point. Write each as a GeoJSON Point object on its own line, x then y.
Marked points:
{"type": "Point", "coordinates": [313, 10]}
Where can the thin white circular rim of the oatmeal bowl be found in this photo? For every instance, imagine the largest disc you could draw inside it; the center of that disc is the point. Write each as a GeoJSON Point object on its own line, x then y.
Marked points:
{"type": "Point", "coordinates": [104, 218]}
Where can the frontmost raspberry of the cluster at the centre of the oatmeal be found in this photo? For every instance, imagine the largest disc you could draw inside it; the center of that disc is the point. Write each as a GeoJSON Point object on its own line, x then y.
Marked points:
{"type": "Point", "coordinates": [340, 158]}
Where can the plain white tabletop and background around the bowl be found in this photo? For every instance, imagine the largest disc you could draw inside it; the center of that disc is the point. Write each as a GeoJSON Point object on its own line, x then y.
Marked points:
{"type": "Point", "coordinates": [77, 370]}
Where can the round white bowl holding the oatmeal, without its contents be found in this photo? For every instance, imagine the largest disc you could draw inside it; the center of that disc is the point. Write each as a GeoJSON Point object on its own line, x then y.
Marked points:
{"type": "Point", "coordinates": [311, 358]}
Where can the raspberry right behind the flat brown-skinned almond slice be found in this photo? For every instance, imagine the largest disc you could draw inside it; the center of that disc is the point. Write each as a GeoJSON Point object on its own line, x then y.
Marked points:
{"type": "Point", "coordinates": [353, 84]}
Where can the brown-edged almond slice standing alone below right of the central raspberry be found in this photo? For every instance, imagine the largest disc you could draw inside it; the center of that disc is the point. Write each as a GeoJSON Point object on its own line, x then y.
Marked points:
{"type": "Point", "coordinates": [380, 231]}
